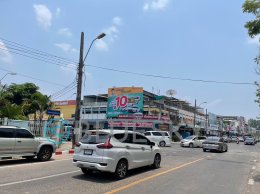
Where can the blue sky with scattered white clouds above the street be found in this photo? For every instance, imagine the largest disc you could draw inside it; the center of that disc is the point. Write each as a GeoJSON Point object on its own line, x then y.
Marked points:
{"type": "Point", "coordinates": [193, 39]}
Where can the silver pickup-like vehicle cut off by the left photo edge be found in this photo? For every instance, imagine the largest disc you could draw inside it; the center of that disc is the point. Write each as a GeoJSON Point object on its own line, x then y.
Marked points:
{"type": "Point", "coordinates": [20, 142]}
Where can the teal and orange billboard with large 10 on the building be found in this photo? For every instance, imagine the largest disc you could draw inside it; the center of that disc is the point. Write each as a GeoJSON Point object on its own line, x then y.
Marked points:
{"type": "Point", "coordinates": [125, 101]}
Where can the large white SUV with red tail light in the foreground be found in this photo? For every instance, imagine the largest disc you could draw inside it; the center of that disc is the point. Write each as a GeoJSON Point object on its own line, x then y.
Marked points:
{"type": "Point", "coordinates": [115, 151]}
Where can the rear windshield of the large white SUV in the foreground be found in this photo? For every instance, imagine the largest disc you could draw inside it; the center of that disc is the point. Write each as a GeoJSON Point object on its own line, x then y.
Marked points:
{"type": "Point", "coordinates": [94, 138]}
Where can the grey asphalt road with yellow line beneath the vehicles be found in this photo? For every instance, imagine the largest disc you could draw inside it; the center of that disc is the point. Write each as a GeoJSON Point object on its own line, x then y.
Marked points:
{"type": "Point", "coordinates": [184, 170]}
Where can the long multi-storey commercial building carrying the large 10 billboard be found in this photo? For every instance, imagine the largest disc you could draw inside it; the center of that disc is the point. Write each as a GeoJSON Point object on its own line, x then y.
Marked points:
{"type": "Point", "coordinates": [135, 108]}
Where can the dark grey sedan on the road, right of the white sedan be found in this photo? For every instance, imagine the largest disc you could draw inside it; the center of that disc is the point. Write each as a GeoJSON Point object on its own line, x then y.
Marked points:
{"type": "Point", "coordinates": [215, 143]}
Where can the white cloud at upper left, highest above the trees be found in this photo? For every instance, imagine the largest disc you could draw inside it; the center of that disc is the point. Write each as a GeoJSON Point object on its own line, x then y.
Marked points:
{"type": "Point", "coordinates": [43, 16]}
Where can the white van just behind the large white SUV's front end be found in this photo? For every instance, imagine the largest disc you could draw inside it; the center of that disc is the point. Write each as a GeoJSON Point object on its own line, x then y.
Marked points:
{"type": "Point", "coordinates": [161, 138]}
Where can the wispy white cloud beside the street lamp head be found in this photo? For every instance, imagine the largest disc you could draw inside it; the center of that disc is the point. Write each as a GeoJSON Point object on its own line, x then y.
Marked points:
{"type": "Point", "coordinates": [112, 33]}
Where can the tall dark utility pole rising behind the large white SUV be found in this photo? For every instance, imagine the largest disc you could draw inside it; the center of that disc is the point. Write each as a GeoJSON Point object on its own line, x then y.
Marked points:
{"type": "Point", "coordinates": [79, 88]}
